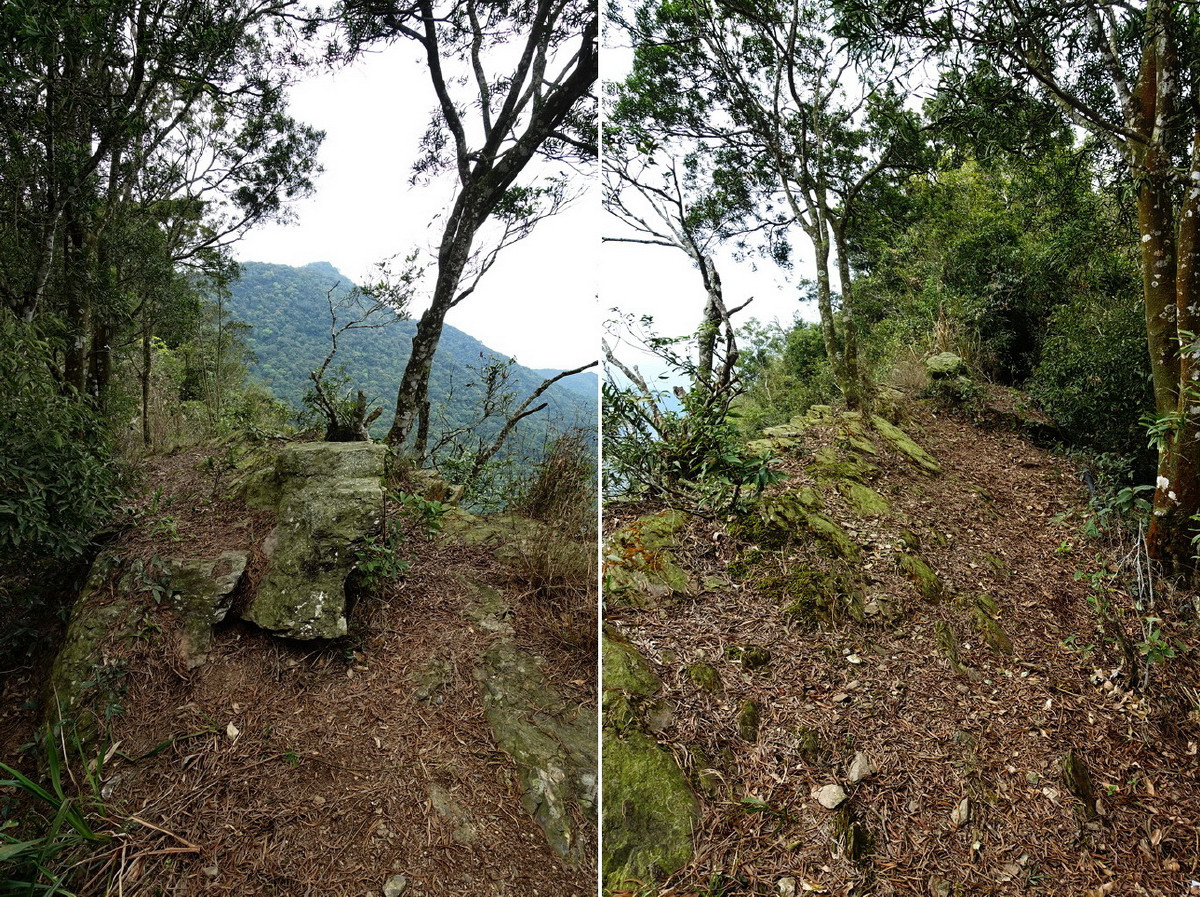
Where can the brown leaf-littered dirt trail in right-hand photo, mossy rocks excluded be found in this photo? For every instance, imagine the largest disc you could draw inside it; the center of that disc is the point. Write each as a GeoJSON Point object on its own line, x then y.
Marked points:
{"type": "Point", "coordinates": [988, 729]}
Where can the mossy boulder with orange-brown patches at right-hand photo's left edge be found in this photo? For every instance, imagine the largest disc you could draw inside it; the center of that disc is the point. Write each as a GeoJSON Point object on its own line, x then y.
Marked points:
{"type": "Point", "coordinates": [639, 562]}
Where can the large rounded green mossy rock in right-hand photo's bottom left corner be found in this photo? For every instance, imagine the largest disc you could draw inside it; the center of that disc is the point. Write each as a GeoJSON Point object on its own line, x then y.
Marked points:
{"type": "Point", "coordinates": [649, 812]}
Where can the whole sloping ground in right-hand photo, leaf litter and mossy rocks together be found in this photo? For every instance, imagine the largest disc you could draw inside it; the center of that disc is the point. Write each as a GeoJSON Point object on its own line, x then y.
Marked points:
{"type": "Point", "coordinates": [907, 673]}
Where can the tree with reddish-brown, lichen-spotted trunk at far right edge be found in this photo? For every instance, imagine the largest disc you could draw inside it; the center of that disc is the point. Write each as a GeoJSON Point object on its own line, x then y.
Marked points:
{"type": "Point", "coordinates": [1129, 75]}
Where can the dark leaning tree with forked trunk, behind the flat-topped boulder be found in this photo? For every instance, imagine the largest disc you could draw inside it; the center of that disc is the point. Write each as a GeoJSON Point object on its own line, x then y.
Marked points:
{"type": "Point", "coordinates": [489, 137]}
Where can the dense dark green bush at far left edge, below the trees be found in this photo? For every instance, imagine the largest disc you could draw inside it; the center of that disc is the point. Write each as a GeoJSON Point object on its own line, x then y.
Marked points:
{"type": "Point", "coordinates": [59, 480]}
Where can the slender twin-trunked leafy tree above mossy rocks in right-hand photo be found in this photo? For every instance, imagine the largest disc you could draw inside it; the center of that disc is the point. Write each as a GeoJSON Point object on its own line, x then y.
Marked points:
{"type": "Point", "coordinates": [790, 111]}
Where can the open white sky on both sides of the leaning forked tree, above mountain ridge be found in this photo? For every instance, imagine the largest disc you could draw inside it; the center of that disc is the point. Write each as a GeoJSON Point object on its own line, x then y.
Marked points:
{"type": "Point", "coordinates": [537, 304]}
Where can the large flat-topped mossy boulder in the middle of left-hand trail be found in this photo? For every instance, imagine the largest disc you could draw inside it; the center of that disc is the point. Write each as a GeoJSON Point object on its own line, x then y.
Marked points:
{"type": "Point", "coordinates": [331, 503]}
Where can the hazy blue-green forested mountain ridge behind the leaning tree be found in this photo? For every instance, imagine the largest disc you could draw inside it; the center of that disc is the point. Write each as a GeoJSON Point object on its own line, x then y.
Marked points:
{"type": "Point", "coordinates": [287, 312]}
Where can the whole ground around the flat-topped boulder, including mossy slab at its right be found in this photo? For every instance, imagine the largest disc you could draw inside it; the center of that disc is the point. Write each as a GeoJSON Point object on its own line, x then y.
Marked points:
{"type": "Point", "coordinates": [404, 758]}
